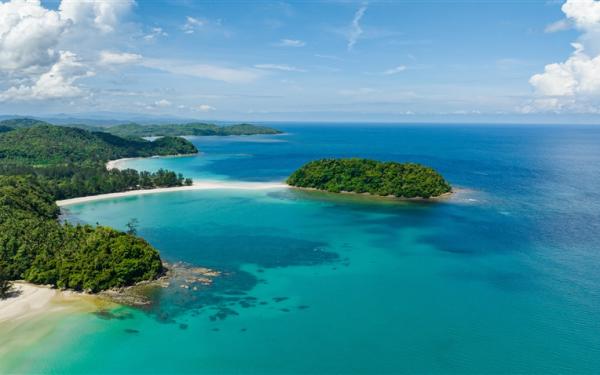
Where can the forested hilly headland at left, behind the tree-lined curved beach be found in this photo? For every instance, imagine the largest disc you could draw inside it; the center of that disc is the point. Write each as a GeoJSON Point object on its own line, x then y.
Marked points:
{"type": "Point", "coordinates": [47, 144]}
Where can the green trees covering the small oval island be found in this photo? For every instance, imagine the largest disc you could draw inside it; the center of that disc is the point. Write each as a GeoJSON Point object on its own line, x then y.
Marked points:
{"type": "Point", "coordinates": [403, 180]}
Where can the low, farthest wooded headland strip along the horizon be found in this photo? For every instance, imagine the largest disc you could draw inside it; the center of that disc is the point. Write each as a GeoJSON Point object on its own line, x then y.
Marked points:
{"type": "Point", "coordinates": [137, 130]}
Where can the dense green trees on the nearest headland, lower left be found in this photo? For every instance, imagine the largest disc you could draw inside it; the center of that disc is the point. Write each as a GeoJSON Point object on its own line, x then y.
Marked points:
{"type": "Point", "coordinates": [35, 247]}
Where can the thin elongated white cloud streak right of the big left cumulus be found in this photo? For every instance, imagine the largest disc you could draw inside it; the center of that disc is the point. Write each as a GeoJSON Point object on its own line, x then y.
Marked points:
{"type": "Point", "coordinates": [212, 72]}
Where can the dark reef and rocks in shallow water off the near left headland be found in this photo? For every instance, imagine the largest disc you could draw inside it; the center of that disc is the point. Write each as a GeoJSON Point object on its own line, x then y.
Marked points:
{"type": "Point", "coordinates": [229, 290]}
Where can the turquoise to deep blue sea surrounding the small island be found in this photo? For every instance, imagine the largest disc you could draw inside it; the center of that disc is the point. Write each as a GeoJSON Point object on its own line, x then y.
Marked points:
{"type": "Point", "coordinates": [504, 277]}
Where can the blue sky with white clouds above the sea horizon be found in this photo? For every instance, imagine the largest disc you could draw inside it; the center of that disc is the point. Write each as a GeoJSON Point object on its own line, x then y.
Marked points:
{"type": "Point", "coordinates": [393, 61]}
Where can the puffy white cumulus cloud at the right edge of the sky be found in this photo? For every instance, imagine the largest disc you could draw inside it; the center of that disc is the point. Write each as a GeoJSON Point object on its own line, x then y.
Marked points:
{"type": "Point", "coordinates": [575, 83]}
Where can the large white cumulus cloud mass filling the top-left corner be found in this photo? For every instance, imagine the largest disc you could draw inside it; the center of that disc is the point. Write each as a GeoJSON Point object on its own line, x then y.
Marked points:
{"type": "Point", "coordinates": [33, 51]}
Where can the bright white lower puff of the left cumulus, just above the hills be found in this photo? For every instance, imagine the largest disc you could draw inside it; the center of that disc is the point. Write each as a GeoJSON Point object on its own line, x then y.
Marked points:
{"type": "Point", "coordinates": [58, 82]}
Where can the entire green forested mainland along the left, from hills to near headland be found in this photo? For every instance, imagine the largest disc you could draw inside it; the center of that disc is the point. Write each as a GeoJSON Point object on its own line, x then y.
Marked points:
{"type": "Point", "coordinates": [40, 164]}
